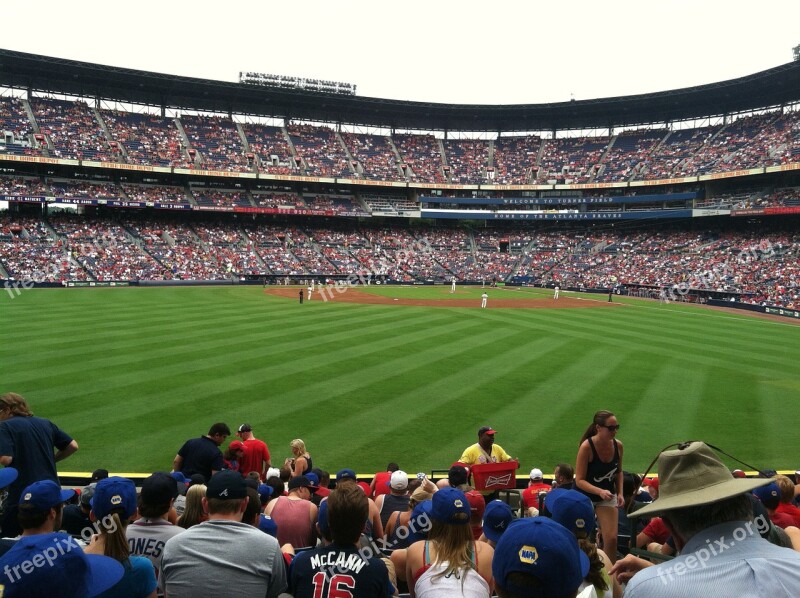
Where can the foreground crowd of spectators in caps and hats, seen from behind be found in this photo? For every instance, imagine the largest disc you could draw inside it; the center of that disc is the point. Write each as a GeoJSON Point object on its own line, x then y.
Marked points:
{"type": "Point", "coordinates": [227, 517]}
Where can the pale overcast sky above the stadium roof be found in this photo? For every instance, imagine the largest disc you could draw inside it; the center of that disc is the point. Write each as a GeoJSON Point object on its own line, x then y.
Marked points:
{"type": "Point", "coordinates": [486, 52]}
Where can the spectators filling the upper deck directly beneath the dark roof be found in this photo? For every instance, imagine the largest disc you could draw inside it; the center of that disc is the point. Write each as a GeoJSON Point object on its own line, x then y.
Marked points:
{"type": "Point", "coordinates": [74, 130]}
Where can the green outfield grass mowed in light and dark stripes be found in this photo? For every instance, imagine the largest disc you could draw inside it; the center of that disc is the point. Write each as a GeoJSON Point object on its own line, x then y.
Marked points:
{"type": "Point", "coordinates": [131, 373]}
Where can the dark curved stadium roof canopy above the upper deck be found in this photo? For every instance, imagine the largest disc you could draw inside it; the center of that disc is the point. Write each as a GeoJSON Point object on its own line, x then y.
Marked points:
{"type": "Point", "coordinates": [773, 87]}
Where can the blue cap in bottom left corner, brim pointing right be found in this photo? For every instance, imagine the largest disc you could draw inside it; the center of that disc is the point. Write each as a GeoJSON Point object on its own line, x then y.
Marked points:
{"type": "Point", "coordinates": [63, 570]}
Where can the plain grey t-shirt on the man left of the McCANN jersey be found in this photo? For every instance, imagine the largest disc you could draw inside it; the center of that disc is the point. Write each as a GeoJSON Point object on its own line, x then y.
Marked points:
{"type": "Point", "coordinates": [217, 556]}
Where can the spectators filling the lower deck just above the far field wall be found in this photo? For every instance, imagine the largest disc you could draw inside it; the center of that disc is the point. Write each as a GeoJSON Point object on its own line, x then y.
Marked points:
{"type": "Point", "coordinates": [760, 265]}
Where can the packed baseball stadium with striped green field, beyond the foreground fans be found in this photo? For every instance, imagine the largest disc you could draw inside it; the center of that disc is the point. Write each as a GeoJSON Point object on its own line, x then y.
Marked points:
{"type": "Point", "coordinates": [382, 278]}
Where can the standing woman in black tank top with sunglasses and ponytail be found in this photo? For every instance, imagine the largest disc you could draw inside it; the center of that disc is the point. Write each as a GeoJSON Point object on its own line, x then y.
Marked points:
{"type": "Point", "coordinates": [598, 474]}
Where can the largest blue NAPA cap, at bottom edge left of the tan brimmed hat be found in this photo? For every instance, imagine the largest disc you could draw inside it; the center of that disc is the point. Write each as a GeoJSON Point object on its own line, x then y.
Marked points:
{"type": "Point", "coordinates": [544, 549]}
